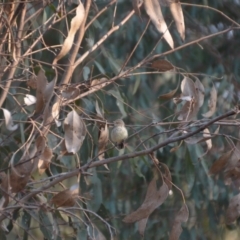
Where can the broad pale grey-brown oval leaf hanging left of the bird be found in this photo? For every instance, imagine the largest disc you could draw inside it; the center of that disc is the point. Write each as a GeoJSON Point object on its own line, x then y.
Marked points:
{"type": "Point", "coordinates": [75, 132]}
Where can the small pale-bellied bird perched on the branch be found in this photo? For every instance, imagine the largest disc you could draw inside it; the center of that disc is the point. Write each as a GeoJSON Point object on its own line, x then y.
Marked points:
{"type": "Point", "coordinates": [119, 133]}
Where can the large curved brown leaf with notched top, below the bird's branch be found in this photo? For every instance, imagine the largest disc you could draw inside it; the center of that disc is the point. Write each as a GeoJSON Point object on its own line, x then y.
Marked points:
{"type": "Point", "coordinates": [154, 198]}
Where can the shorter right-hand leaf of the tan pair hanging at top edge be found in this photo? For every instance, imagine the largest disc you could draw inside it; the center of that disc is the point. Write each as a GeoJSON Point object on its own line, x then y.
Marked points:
{"type": "Point", "coordinates": [178, 17]}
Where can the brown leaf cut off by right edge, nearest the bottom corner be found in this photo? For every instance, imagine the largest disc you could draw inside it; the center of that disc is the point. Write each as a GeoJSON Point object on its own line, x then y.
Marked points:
{"type": "Point", "coordinates": [233, 210]}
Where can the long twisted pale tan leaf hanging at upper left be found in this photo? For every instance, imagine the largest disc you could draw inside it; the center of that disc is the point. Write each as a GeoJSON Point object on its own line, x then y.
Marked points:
{"type": "Point", "coordinates": [75, 25]}
